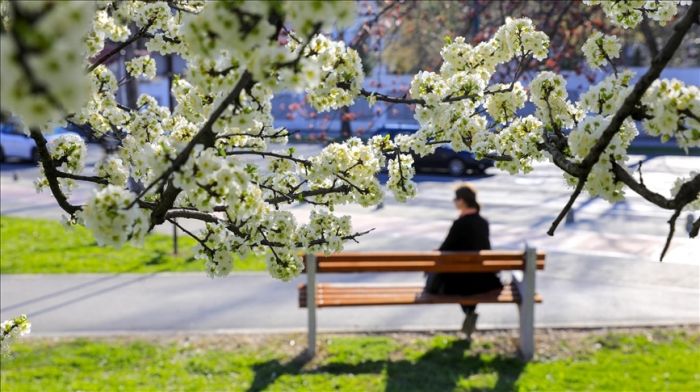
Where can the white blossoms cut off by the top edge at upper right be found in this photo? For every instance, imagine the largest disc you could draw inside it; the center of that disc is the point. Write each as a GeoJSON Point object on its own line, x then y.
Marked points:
{"type": "Point", "coordinates": [629, 13]}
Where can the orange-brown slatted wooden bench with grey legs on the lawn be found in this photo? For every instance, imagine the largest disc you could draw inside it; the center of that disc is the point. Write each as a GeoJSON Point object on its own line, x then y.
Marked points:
{"type": "Point", "coordinates": [313, 295]}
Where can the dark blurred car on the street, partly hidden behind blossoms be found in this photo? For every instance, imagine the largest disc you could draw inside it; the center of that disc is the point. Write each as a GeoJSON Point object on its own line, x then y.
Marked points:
{"type": "Point", "coordinates": [444, 159]}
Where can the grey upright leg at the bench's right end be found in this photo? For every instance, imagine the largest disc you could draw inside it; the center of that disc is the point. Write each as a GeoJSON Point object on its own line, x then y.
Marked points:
{"type": "Point", "coordinates": [527, 305]}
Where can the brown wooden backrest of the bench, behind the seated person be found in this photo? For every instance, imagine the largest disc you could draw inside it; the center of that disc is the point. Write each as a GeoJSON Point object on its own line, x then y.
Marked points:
{"type": "Point", "coordinates": [432, 261]}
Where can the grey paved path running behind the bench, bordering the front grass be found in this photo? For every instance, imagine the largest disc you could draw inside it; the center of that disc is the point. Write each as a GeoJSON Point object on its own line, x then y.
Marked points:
{"type": "Point", "coordinates": [578, 292]}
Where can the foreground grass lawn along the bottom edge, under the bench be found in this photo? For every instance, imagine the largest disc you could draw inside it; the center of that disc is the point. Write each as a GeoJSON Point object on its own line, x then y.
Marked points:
{"type": "Point", "coordinates": [639, 360]}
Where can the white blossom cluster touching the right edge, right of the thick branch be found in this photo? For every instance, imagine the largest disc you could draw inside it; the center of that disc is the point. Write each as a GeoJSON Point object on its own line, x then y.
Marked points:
{"type": "Point", "coordinates": [675, 112]}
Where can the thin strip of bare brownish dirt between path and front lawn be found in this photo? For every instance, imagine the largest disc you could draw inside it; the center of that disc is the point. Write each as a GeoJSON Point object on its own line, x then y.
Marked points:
{"type": "Point", "coordinates": [551, 344]}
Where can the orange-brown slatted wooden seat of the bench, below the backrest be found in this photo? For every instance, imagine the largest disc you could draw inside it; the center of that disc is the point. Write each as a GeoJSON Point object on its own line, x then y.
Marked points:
{"type": "Point", "coordinates": [356, 294]}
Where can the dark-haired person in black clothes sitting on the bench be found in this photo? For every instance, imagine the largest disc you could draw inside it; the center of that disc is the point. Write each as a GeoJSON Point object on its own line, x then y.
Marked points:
{"type": "Point", "coordinates": [470, 232]}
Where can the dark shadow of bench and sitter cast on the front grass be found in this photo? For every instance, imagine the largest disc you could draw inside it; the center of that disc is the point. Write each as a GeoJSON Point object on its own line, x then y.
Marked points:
{"type": "Point", "coordinates": [438, 369]}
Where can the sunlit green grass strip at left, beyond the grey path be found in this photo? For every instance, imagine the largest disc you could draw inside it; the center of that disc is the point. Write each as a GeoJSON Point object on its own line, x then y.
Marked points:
{"type": "Point", "coordinates": [42, 246]}
